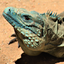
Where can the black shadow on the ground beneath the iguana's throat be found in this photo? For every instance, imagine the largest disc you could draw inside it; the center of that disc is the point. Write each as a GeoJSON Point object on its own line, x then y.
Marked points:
{"type": "Point", "coordinates": [43, 58]}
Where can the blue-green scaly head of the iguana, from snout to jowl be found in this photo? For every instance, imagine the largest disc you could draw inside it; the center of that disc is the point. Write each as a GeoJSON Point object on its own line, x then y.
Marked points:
{"type": "Point", "coordinates": [28, 24]}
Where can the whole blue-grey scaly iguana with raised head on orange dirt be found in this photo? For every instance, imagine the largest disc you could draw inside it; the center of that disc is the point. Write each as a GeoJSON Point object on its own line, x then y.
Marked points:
{"type": "Point", "coordinates": [37, 32]}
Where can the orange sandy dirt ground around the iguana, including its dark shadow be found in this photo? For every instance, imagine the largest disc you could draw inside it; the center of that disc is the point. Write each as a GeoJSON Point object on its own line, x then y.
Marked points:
{"type": "Point", "coordinates": [11, 53]}
